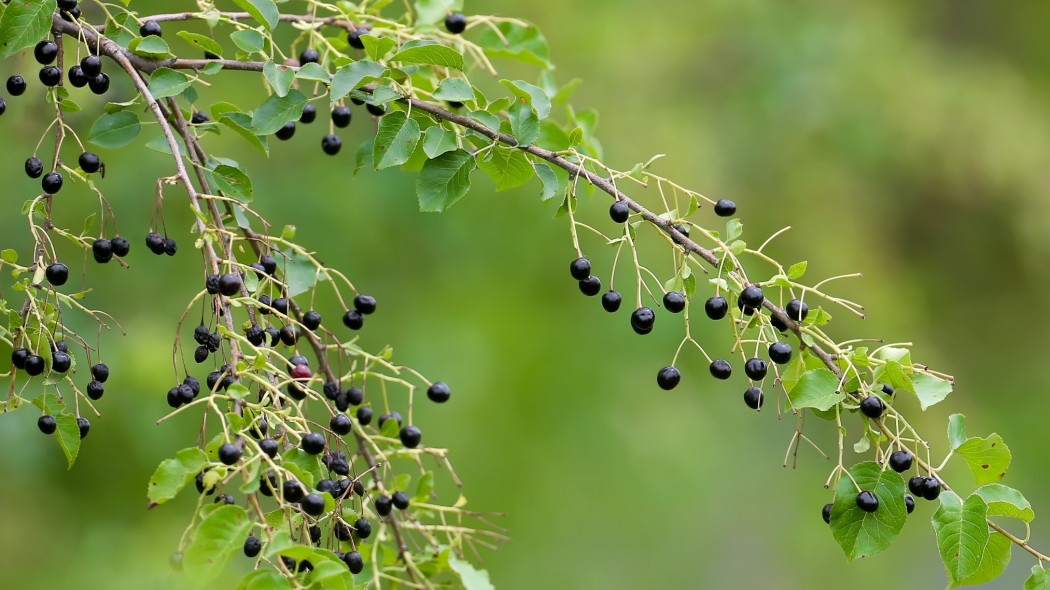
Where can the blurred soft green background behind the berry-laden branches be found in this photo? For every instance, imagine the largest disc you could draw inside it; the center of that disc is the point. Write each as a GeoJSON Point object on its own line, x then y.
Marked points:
{"type": "Point", "coordinates": [906, 141]}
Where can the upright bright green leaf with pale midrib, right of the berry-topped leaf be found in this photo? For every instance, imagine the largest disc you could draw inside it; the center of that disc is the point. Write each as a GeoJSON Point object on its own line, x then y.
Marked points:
{"type": "Point", "coordinates": [962, 535]}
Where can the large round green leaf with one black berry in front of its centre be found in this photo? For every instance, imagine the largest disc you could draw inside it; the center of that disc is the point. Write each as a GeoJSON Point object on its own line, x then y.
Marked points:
{"type": "Point", "coordinates": [863, 534]}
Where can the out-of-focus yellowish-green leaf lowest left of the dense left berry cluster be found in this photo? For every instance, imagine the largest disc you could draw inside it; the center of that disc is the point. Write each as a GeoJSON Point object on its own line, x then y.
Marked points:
{"type": "Point", "coordinates": [220, 536]}
